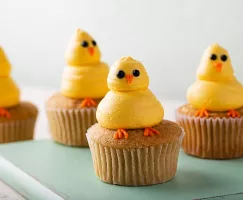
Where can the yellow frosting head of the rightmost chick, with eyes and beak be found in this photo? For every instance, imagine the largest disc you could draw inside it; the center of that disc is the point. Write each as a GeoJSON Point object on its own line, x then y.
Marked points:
{"type": "Point", "coordinates": [215, 64]}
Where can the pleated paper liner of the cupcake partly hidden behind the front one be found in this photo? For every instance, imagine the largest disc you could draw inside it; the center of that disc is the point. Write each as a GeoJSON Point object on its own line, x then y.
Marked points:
{"type": "Point", "coordinates": [69, 126]}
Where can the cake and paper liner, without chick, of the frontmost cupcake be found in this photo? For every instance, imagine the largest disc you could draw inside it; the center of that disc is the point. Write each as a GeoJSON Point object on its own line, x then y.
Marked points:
{"type": "Point", "coordinates": [137, 160]}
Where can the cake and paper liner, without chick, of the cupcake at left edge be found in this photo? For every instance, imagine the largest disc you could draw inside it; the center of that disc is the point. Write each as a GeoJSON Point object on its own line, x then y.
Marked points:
{"type": "Point", "coordinates": [20, 126]}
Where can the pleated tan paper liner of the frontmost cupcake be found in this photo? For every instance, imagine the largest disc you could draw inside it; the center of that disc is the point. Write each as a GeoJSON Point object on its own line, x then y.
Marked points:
{"type": "Point", "coordinates": [145, 165]}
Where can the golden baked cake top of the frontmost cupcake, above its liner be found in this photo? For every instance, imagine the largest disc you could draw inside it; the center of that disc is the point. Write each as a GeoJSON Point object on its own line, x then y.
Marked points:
{"type": "Point", "coordinates": [169, 132]}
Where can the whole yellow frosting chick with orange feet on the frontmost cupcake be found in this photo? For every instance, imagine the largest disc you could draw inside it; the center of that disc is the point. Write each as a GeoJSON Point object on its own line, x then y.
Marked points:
{"type": "Point", "coordinates": [129, 104]}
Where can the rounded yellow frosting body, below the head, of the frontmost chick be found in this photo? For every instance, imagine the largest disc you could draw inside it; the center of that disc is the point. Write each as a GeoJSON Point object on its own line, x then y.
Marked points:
{"type": "Point", "coordinates": [129, 110]}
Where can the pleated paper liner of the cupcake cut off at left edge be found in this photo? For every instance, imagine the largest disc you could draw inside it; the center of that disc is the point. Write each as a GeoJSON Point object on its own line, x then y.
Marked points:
{"type": "Point", "coordinates": [18, 130]}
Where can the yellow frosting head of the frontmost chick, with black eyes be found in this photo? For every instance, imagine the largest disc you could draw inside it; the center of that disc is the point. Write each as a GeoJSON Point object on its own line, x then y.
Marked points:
{"type": "Point", "coordinates": [126, 75]}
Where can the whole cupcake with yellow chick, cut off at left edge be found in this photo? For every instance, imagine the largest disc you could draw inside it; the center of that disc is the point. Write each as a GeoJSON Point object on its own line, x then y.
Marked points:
{"type": "Point", "coordinates": [17, 119]}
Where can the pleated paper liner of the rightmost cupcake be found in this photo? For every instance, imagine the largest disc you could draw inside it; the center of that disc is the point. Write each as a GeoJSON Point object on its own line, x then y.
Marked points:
{"type": "Point", "coordinates": [213, 138]}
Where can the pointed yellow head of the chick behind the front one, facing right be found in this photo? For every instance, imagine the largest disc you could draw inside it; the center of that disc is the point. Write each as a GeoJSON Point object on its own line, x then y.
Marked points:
{"type": "Point", "coordinates": [82, 50]}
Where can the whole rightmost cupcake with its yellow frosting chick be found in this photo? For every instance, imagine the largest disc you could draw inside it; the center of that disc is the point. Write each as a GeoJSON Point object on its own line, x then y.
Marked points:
{"type": "Point", "coordinates": [213, 118]}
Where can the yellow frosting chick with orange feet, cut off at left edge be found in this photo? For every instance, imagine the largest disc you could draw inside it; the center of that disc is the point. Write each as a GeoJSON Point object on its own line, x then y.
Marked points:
{"type": "Point", "coordinates": [10, 94]}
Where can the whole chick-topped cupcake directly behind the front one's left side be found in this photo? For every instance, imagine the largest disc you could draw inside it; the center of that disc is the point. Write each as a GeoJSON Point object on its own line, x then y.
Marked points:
{"type": "Point", "coordinates": [72, 111]}
